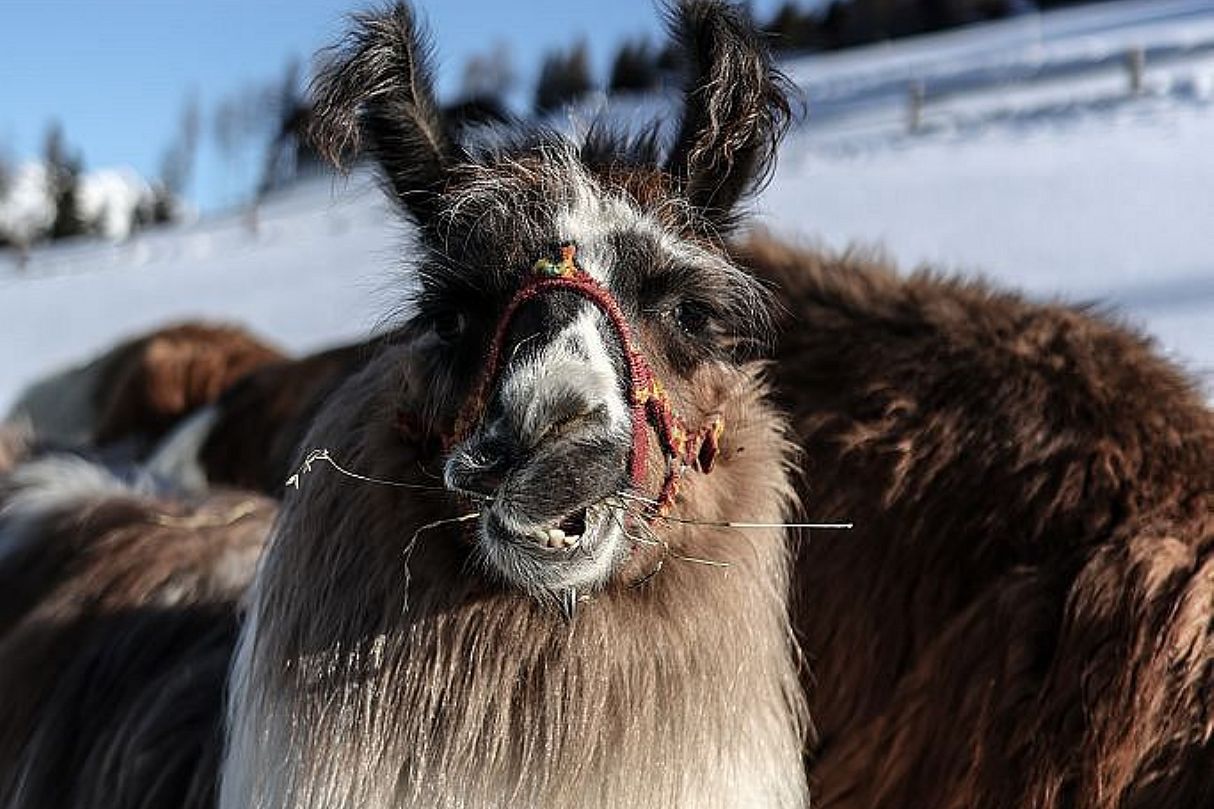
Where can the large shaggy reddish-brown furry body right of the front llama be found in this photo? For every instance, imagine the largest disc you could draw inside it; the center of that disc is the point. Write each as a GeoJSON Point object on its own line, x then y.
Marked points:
{"type": "Point", "coordinates": [1023, 616]}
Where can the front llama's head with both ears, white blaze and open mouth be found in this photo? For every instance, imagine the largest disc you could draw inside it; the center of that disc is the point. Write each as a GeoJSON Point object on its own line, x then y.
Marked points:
{"type": "Point", "coordinates": [558, 280]}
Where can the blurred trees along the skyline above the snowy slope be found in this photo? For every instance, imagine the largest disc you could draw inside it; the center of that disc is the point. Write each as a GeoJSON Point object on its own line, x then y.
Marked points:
{"type": "Point", "coordinates": [268, 123]}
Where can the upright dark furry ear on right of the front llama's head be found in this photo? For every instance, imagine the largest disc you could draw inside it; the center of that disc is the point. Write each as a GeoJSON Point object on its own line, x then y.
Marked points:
{"type": "Point", "coordinates": [736, 109]}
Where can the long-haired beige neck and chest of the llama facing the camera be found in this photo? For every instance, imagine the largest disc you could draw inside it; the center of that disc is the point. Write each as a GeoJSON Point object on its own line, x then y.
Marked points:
{"type": "Point", "coordinates": [365, 680]}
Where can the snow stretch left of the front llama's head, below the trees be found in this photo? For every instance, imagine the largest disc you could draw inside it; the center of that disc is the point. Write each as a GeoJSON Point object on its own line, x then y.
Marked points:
{"type": "Point", "coordinates": [315, 270]}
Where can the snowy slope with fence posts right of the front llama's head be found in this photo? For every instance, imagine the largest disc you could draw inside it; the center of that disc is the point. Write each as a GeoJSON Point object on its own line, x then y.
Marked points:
{"type": "Point", "coordinates": [1034, 165]}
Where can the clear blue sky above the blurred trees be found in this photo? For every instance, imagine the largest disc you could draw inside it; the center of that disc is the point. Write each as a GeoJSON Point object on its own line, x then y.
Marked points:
{"type": "Point", "coordinates": [116, 73]}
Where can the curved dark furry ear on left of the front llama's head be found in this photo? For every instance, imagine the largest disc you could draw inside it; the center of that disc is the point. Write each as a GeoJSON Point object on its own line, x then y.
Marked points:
{"type": "Point", "coordinates": [377, 95]}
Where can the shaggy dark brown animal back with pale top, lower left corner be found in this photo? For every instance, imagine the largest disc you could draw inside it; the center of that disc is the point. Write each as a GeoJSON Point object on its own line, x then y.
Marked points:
{"type": "Point", "coordinates": [116, 633]}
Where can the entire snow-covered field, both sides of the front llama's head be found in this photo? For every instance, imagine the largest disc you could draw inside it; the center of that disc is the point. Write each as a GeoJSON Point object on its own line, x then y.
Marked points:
{"type": "Point", "coordinates": [1033, 165]}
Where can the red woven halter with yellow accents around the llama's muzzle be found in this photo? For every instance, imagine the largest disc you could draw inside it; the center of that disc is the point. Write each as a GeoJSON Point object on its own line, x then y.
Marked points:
{"type": "Point", "coordinates": [648, 399]}
